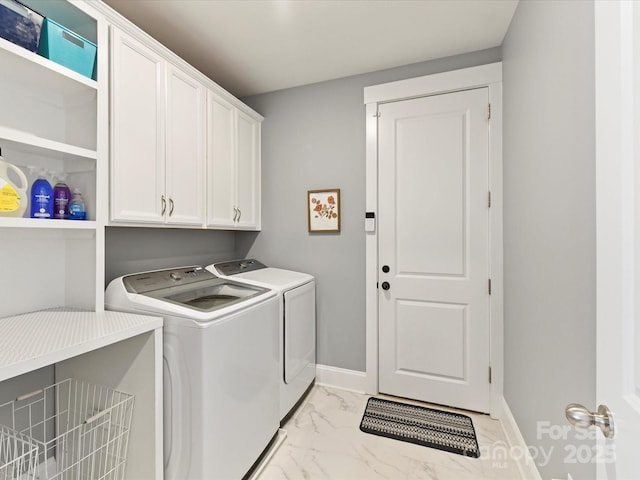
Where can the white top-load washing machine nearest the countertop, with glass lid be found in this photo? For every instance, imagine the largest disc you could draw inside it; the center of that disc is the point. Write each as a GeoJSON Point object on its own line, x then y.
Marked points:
{"type": "Point", "coordinates": [221, 367]}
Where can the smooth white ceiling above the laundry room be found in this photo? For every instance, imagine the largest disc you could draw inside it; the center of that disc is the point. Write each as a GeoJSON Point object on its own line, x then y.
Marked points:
{"type": "Point", "coordinates": [257, 46]}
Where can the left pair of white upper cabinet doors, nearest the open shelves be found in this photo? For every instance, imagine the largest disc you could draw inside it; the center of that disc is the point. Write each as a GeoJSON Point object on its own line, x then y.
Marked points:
{"type": "Point", "coordinates": [157, 138]}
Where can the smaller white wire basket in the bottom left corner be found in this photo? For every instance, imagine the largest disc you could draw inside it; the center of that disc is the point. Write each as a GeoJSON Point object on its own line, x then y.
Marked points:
{"type": "Point", "coordinates": [18, 455]}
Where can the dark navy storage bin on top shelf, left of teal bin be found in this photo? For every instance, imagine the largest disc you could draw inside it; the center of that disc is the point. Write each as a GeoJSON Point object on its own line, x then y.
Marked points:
{"type": "Point", "coordinates": [19, 24]}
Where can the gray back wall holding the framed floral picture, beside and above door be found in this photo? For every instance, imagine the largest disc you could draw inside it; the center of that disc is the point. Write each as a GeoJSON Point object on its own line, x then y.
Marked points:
{"type": "Point", "coordinates": [314, 137]}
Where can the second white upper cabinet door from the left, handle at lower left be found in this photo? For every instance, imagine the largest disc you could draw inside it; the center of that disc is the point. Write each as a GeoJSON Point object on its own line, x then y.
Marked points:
{"type": "Point", "coordinates": [185, 159]}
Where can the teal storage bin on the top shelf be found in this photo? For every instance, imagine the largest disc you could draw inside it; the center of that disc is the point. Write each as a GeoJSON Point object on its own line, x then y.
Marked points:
{"type": "Point", "coordinates": [67, 48]}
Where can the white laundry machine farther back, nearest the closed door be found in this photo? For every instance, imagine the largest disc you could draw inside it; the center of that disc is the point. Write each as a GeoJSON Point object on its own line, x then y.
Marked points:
{"type": "Point", "coordinates": [297, 345]}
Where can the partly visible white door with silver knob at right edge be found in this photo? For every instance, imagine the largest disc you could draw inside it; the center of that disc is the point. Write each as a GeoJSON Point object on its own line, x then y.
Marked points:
{"type": "Point", "coordinates": [617, 26]}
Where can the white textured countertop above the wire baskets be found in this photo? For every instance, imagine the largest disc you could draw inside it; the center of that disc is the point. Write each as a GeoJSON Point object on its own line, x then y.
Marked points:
{"type": "Point", "coordinates": [34, 340]}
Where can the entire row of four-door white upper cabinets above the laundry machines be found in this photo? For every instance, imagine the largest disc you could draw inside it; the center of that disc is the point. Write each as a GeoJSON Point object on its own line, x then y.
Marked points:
{"type": "Point", "coordinates": [184, 152]}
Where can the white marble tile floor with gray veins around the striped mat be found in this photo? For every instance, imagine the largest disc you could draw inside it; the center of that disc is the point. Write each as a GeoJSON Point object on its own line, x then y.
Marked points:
{"type": "Point", "coordinates": [324, 441]}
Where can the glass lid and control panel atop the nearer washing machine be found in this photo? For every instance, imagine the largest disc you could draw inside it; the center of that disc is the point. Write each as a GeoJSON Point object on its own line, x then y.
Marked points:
{"type": "Point", "coordinates": [190, 287]}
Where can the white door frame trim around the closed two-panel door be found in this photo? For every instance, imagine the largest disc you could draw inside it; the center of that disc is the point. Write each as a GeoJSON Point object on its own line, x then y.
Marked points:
{"type": "Point", "coordinates": [482, 76]}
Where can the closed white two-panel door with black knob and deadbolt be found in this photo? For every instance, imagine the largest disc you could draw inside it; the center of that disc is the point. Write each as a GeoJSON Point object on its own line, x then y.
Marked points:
{"type": "Point", "coordinates": [434, 249]}
